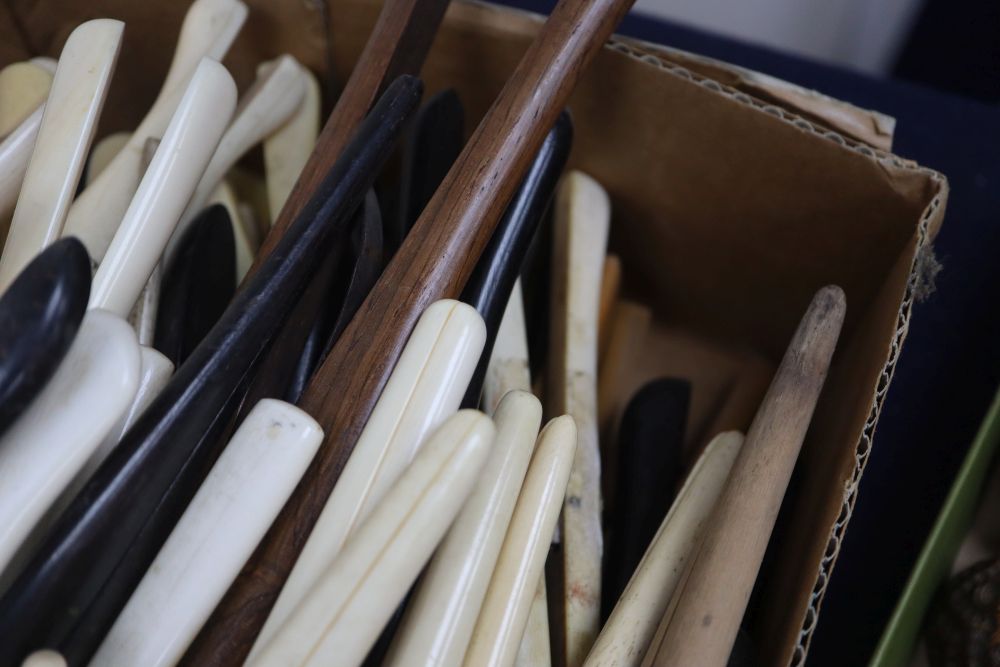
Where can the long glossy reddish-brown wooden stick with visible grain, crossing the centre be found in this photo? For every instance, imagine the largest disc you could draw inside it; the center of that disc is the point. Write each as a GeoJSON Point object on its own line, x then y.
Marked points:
{"type": "Point", "coordinates": [434, 262]}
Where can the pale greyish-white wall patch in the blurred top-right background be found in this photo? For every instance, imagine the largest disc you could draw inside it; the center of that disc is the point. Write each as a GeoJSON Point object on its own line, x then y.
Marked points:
{"type": "Point", "coordinates": [861, 34]}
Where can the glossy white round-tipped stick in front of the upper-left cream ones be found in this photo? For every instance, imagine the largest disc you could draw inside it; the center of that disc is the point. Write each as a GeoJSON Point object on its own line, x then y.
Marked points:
{"type": "Point", "coordinates": [181, 158]}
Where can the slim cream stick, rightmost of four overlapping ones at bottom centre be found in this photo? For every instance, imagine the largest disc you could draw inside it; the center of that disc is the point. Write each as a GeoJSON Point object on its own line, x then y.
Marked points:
{"type": "Point", "coordinates": [504, 613]}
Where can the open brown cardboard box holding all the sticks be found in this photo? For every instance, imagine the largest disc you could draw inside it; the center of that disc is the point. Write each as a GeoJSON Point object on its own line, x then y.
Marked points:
{"type": "Point", "coordinates": [729, 212]}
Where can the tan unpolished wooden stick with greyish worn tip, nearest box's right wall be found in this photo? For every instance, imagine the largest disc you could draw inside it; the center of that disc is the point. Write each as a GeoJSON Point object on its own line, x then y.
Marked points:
{"type": "Point", "coordinates": [712, 600]}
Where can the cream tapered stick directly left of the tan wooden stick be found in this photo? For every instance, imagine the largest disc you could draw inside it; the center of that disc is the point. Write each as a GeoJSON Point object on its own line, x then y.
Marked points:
{"type": "Point", "coordinates": [630, 628]}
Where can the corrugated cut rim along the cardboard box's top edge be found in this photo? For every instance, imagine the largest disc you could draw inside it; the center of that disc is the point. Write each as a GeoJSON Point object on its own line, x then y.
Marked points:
{"type": "Point", "coordinates": [927, 228]}
